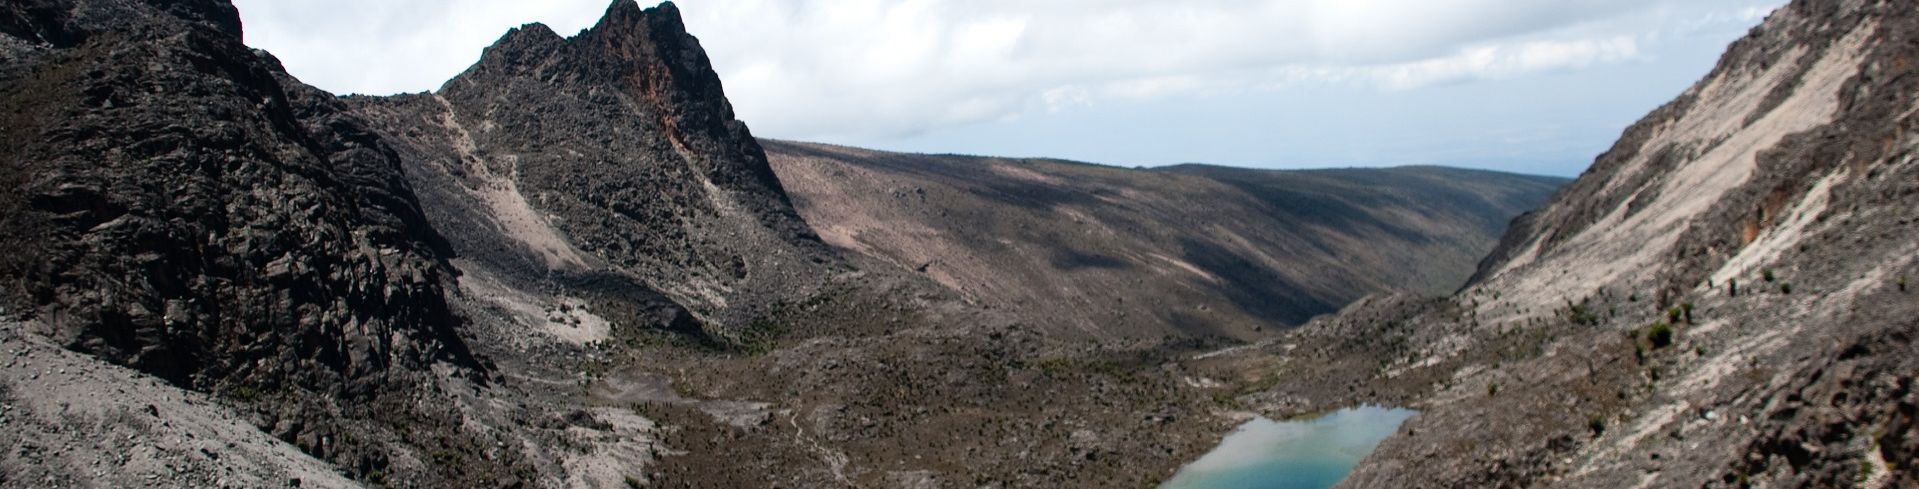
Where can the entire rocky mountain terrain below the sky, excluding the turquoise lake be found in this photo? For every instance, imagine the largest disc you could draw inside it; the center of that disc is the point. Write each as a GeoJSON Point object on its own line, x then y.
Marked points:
{"type": "Point", "coordinates": [573, 268]}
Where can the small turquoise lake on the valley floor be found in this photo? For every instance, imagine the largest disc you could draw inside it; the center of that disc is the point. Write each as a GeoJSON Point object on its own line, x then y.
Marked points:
{"type": "Point", "coordinates": [1292, 455]}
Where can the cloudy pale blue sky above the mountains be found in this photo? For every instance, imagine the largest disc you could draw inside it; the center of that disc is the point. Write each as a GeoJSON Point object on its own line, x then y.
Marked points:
{"type": "Point", "coordinates": [1507, 85]}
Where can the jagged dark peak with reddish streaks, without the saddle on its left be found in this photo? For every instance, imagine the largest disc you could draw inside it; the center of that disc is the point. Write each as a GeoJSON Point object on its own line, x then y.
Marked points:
{"type": "Point", "coordinates": [627, 135]}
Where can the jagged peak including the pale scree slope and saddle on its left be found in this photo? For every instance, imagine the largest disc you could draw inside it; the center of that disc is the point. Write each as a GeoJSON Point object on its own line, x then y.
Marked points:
{"type": "Point", "coordinates": [611, 154]}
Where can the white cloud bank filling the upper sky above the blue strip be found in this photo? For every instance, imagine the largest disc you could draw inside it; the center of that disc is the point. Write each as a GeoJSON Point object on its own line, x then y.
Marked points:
{"type": "Point", "coordinates": [889, 68]}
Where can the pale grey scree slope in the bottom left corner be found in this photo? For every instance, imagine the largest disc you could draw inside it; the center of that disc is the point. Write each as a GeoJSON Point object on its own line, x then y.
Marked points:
{"type": "Point", "coordinates": [74, 421]}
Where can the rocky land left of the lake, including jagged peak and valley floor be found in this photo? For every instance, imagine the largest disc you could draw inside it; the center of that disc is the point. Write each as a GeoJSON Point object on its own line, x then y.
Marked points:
{"type": "Point", "coordinates": [569, 268]}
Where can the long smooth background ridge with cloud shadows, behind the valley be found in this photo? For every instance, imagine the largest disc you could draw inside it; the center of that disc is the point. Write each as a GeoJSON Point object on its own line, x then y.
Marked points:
{"type": "Point", "coordinates": [1191, 250]}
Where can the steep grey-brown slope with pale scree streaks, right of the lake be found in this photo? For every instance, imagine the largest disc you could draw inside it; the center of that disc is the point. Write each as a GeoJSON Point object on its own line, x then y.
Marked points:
{"type": "Point", "coordinates": [1720, 302]}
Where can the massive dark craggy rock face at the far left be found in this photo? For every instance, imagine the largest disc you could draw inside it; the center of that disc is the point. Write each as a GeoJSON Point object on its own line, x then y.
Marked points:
{"type": "Point", "coordinates": [185, 208]}
